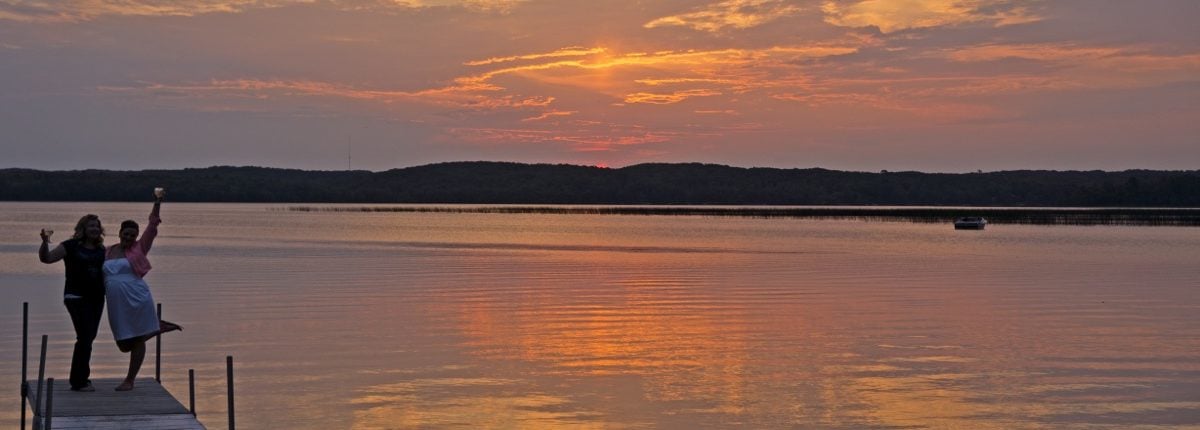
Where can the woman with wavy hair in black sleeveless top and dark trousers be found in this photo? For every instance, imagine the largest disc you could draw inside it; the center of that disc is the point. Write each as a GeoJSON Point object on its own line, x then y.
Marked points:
{"type": "Point", "coordinates": [85, 295]}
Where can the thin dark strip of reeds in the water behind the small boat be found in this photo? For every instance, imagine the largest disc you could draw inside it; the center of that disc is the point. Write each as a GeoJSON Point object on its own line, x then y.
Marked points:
{"type": "Point", "coordinates": [1076, 217]}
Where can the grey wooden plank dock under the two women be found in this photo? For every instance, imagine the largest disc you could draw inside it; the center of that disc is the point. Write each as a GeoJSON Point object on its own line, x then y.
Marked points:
{"type": "Point", "coordinates": [148, 407]}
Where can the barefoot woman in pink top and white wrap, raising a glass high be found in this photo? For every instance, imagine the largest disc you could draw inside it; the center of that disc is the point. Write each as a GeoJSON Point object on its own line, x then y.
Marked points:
{"type": "Point", "coordinates": [131, 309]}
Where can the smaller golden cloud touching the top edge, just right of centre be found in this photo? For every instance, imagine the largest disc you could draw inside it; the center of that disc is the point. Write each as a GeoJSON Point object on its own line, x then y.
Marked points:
{"type": "Point", "coordinates": [729, 14]}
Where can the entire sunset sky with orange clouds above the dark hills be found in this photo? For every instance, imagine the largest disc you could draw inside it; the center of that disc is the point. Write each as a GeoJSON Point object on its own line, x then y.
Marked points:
{"type": "Point", "coordinates": [946, 86]}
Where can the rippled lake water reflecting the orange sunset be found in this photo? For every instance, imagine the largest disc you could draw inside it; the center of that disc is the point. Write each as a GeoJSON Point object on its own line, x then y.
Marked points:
{"type": "Point", "coordinates": [453, 321]}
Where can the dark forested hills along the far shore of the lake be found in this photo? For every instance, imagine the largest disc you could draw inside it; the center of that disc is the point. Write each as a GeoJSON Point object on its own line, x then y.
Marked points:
{"type": "Point", "coordinates": [641, 184]}
